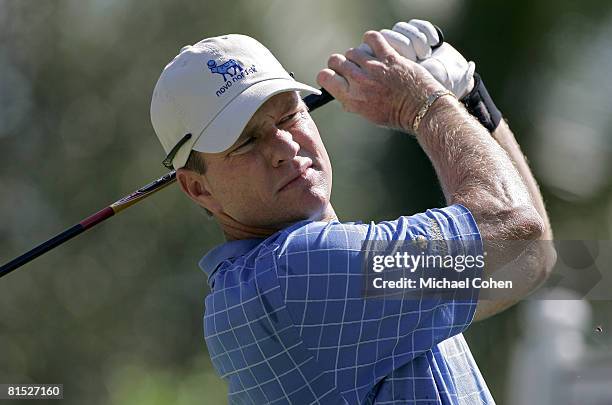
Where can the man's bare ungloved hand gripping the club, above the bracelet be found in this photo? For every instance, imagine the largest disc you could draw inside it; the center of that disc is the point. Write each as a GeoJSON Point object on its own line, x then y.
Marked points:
{"type": "Point", "coordinates": [386, 88]}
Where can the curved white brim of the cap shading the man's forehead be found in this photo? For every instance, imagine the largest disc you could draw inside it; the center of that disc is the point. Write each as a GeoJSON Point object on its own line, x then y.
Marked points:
{"type": "Point", "coordinates": [227, 126]}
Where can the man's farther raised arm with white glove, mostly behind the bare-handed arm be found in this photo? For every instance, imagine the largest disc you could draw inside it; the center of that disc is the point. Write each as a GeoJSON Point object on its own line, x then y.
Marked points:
{"type": "Point", "coordinates": [456, 74]}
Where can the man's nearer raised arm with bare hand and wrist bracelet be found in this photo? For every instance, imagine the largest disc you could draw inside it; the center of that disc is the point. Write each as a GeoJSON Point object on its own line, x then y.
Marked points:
{"type": "Point", "coordinates": [473, 169]}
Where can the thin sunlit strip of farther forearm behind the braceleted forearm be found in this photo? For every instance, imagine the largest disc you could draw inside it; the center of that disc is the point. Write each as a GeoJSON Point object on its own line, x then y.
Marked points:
{"type": "Point", "coordinates": [505, 138]}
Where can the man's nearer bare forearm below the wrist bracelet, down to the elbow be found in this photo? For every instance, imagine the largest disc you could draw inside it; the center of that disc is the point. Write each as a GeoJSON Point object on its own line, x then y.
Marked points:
{"type": "Point", "coordinates": [475, 171]}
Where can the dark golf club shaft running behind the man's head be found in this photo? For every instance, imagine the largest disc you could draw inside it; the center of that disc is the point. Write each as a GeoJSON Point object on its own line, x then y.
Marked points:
{"type": "Point", "coordinates": [312, 101]}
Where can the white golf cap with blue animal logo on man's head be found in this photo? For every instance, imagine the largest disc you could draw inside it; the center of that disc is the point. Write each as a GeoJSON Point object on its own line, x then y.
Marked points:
{"type": "Point", "coordinates": [211, 90]}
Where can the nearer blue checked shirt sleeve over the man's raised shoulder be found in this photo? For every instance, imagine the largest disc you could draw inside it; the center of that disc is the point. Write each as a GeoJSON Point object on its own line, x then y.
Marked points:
{"type": "Point", "coordinates": [319, 268]}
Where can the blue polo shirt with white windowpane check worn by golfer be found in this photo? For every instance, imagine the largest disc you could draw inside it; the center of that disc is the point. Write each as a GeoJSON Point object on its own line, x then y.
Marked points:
{"type": "Point", "coordinates": [286, 321]}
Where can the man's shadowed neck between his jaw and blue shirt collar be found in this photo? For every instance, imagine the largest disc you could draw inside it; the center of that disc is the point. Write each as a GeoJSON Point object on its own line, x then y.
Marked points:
{"type": "Point", "coordinates": [235, 230]}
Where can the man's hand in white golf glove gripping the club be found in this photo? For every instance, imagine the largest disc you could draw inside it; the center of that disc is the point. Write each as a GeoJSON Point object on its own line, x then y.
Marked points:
{"type": "Point", "coordinates": [414, 40]}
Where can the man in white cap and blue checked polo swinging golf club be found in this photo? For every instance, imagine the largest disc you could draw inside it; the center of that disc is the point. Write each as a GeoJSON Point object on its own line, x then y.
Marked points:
{"type": "Point", "coordinates": [286, 320]}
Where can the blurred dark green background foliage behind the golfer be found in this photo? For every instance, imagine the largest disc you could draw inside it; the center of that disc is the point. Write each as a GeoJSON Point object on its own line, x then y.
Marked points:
{"type": "Point", "coordinates": [116, 314]}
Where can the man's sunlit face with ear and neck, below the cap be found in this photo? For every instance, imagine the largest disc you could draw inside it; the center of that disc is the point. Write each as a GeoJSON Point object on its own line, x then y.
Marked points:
{"type": "Point", "coordinates": [276, 173]}
